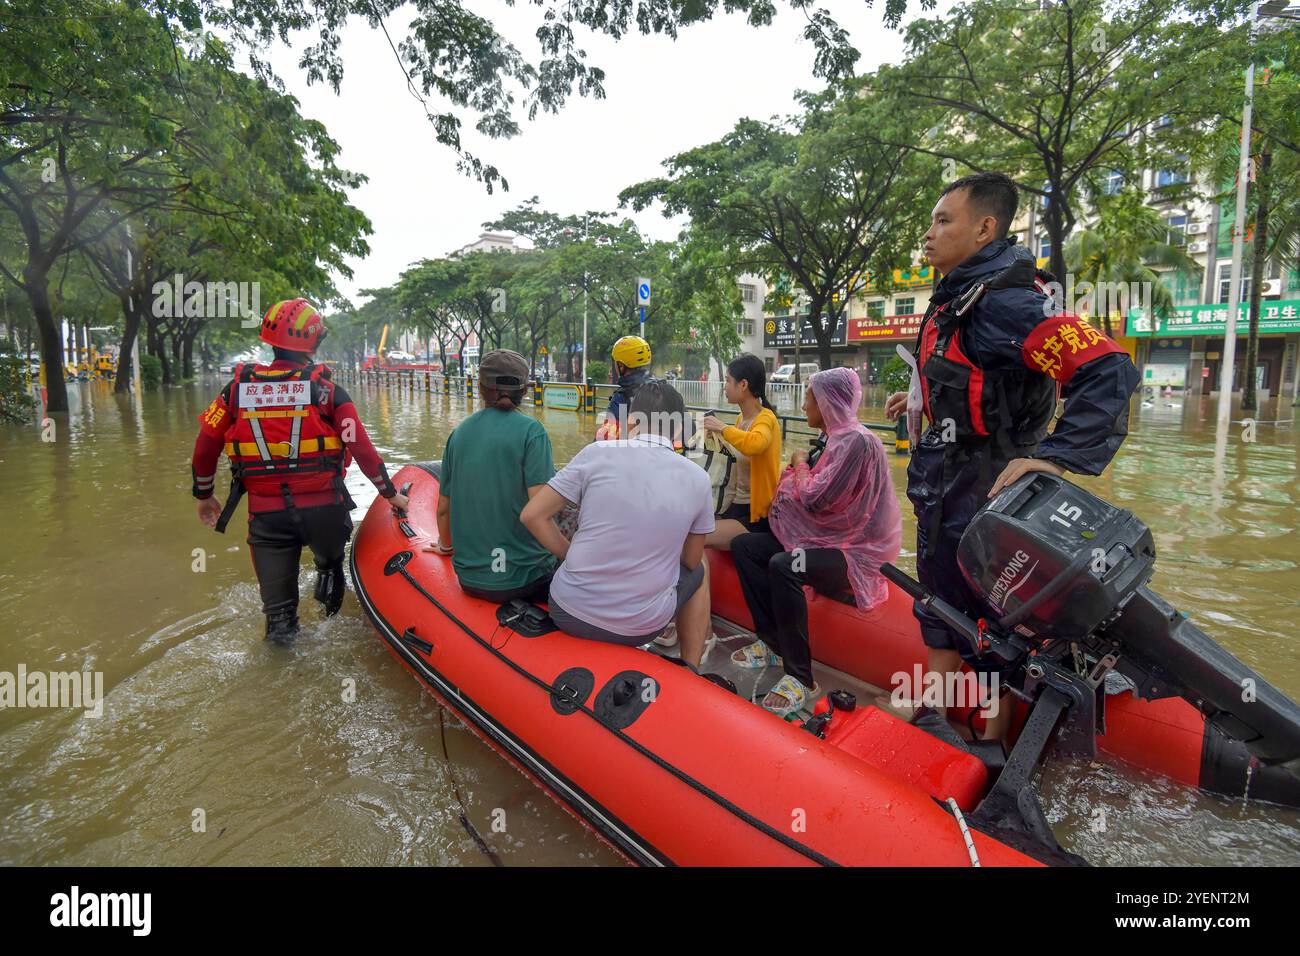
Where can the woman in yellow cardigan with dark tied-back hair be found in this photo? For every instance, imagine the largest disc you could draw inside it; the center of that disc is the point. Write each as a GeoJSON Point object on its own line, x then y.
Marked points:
{"type": "Point", "coordinates": [757, 435]}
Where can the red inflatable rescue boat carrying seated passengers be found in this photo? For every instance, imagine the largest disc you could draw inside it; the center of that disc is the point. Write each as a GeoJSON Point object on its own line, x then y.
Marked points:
{"type": "Point", "coordinates": [670, 768]}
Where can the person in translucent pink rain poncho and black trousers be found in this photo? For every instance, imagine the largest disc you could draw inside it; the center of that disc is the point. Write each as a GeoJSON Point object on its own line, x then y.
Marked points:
{"type": "Point", "coordinates": [834, 522]}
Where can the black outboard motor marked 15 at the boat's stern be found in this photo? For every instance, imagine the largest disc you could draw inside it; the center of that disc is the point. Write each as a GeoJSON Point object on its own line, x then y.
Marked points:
{"type": "Point", "coordinates": [1064, 573]}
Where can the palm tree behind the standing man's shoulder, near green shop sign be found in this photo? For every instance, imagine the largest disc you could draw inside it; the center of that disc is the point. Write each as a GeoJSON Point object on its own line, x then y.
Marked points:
{"type": "Point", "coordinates": [1128, 244]}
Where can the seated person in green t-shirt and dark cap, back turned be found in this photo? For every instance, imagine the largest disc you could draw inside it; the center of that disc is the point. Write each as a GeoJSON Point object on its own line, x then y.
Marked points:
{"type": "Point", "coordinates": [495, 462]}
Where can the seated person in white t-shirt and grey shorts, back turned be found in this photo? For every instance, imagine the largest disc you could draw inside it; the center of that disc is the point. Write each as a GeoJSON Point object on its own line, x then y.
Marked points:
{"type": "Point", "coordinates": [636, 563]}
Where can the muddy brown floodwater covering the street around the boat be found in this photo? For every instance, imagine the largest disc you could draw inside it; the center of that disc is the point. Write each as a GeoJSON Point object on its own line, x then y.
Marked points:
{"type": "Point", "coordinates": [106, 568]}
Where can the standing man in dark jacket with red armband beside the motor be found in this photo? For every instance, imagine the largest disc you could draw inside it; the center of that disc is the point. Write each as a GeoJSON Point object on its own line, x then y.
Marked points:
{"type": "Point", "coordinates": [994, 352]}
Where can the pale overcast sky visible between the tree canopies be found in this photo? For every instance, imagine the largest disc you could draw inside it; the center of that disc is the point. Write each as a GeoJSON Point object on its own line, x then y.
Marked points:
{"type": "Point", "coordinates": [662, 97]}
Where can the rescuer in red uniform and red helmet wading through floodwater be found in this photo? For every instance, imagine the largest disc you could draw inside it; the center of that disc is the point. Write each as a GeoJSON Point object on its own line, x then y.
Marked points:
{"type": "Point", "coordinates": [291, 435]}
